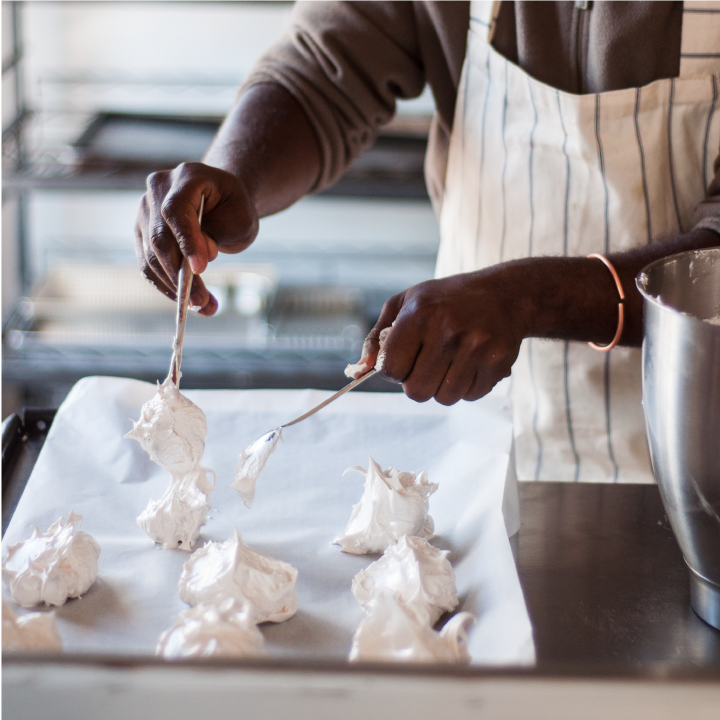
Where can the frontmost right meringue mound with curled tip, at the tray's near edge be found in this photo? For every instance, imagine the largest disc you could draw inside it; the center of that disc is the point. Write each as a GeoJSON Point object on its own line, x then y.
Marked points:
{"type": "Point", "coordinates": [391, 633]}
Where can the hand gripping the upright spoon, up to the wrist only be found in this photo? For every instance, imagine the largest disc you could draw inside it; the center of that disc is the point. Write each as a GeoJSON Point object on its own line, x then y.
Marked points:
{"type": "Point", "coordinates": [167, 227]}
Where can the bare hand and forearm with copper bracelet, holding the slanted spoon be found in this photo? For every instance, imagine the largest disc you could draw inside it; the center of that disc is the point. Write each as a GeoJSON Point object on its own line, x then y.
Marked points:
{"type": "Point", "coordinates": [455, 338]}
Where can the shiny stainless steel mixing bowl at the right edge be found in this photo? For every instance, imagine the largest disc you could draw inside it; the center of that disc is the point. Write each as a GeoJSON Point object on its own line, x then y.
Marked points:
{"type": "Point", "coordinates": [681, 399]}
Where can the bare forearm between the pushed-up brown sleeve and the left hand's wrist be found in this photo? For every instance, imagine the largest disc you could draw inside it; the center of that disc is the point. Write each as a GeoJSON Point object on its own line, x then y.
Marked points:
{"type": "Point", "coordinates": [267, 142]}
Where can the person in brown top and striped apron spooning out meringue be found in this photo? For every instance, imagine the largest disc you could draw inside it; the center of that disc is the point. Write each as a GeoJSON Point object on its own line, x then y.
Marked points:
{"type": "Point", "coordinates": [561, 131]}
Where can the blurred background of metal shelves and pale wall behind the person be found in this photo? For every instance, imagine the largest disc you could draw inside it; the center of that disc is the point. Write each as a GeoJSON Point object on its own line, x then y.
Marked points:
{"type": "Point", "coordinates": [96, 95]}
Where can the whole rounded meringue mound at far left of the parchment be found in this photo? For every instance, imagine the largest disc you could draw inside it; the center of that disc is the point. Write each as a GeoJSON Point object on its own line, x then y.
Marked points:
{"type": "Point", "coordinates": [53, 566]}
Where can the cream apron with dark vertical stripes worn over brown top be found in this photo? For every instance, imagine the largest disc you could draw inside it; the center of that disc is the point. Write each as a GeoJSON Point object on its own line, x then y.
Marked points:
{"type": "Point", "coordinates": [536, 171]}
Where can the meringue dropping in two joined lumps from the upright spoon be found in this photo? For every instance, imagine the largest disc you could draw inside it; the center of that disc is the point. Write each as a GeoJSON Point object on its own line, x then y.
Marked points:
{"type": "Point", "coordinates": [172, 430]}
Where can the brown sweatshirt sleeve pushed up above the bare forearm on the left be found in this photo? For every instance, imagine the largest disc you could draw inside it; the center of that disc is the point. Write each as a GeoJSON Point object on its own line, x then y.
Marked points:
{"type": "Point", "coordinates": [346, 62]}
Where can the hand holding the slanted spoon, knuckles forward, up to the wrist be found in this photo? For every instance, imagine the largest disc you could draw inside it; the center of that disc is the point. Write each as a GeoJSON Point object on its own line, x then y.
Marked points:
{"type": "Point", "coordinates": [451, 339]}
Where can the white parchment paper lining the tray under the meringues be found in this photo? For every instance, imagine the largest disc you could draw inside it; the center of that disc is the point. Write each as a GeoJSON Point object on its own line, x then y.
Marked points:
{"type": "Point", "coordinates": [302, 503]}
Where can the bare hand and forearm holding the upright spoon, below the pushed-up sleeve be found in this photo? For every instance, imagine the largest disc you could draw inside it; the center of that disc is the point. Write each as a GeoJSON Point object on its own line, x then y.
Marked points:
{"type": "Point", "coordinates": [264, 158]}
